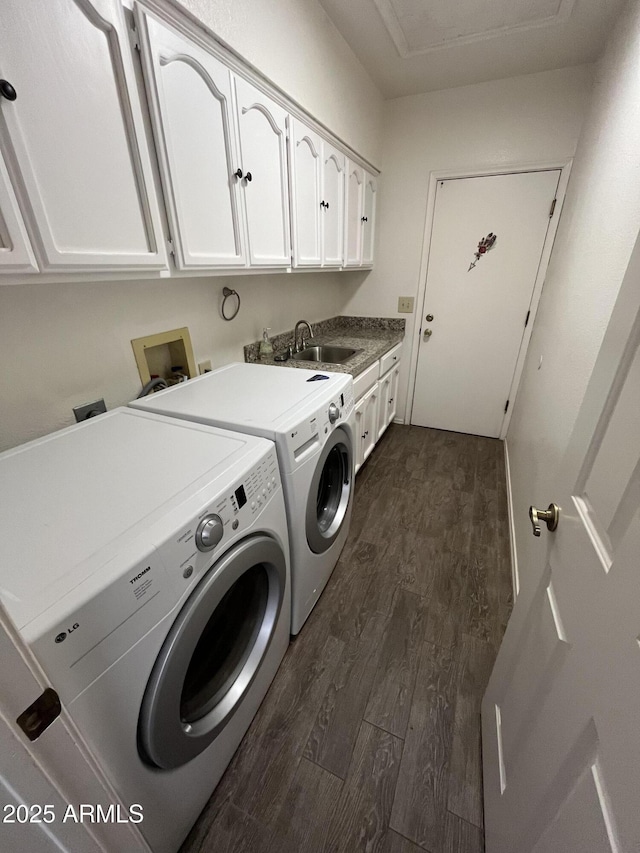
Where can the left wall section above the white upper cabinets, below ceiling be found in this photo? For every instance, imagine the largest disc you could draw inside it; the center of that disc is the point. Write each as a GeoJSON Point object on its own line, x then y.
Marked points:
{"type": "Point", "coordinates": [296, 45]}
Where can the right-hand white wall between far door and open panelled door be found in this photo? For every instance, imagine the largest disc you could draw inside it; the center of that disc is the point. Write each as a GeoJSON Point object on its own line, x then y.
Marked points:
{"type": "Point", "coordinates": [597, 232]}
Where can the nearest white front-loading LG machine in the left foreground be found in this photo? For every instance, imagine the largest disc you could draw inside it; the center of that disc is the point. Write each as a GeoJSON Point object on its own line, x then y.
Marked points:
{"type": "Point", "coordinates": [138, 565]}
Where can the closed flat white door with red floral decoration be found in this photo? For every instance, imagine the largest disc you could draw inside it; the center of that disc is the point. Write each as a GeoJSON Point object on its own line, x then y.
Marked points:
{"type": "Point", "coordinates": [468, 352]}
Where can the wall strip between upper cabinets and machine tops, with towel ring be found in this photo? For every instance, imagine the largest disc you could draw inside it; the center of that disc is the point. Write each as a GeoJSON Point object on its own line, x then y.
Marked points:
{"type": "Point", "coordinates": [66, 344]}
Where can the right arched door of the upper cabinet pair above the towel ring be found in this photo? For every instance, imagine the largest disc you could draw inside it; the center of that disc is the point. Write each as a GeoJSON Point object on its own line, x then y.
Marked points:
{"type": "Point", "coordinates": [263, 152]}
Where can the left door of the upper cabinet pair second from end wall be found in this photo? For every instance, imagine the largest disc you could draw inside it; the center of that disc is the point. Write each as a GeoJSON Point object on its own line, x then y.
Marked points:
{"type": "Point", "coordinates": [305, 150]}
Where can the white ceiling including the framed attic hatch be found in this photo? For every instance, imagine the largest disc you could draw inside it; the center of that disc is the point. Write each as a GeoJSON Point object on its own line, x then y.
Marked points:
{"type": "Point", "coordinates": [412, 46]}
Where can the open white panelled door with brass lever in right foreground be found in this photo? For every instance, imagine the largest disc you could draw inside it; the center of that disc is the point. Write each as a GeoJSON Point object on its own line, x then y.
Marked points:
{"type": "Point", "coordinates": [561, 715]}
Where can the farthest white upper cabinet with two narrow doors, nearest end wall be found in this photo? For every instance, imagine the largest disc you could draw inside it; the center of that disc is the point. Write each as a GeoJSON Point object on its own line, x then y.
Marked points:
{"type": "Point", "coordinates": [359, 217]}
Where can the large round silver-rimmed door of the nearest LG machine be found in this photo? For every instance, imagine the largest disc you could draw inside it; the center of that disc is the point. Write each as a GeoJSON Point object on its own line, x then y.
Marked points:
{"type": "Point", "coordinates": [212, 653]}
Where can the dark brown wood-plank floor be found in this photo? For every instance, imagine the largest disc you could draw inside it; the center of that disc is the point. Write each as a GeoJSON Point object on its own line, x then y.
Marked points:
{"type": "Point", "coordinates": [369, 738]}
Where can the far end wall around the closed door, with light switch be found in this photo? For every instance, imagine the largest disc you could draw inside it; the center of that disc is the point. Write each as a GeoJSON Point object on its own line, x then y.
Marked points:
{"type": "Point", "coordinates": [535, 118]}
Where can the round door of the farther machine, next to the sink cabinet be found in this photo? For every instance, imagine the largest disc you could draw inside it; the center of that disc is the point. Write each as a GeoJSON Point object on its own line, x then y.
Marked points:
{"type": "Point", "coordinates": [329, 492]}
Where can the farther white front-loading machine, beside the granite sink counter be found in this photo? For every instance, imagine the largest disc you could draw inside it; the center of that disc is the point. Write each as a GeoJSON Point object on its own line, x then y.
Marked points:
{"type": "Point", "coordinates": [310, 416]}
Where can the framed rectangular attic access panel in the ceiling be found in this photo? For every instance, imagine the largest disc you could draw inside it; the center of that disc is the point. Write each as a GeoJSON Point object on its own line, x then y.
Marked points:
{"type": "Point", "coordinates": [420, 26]}
